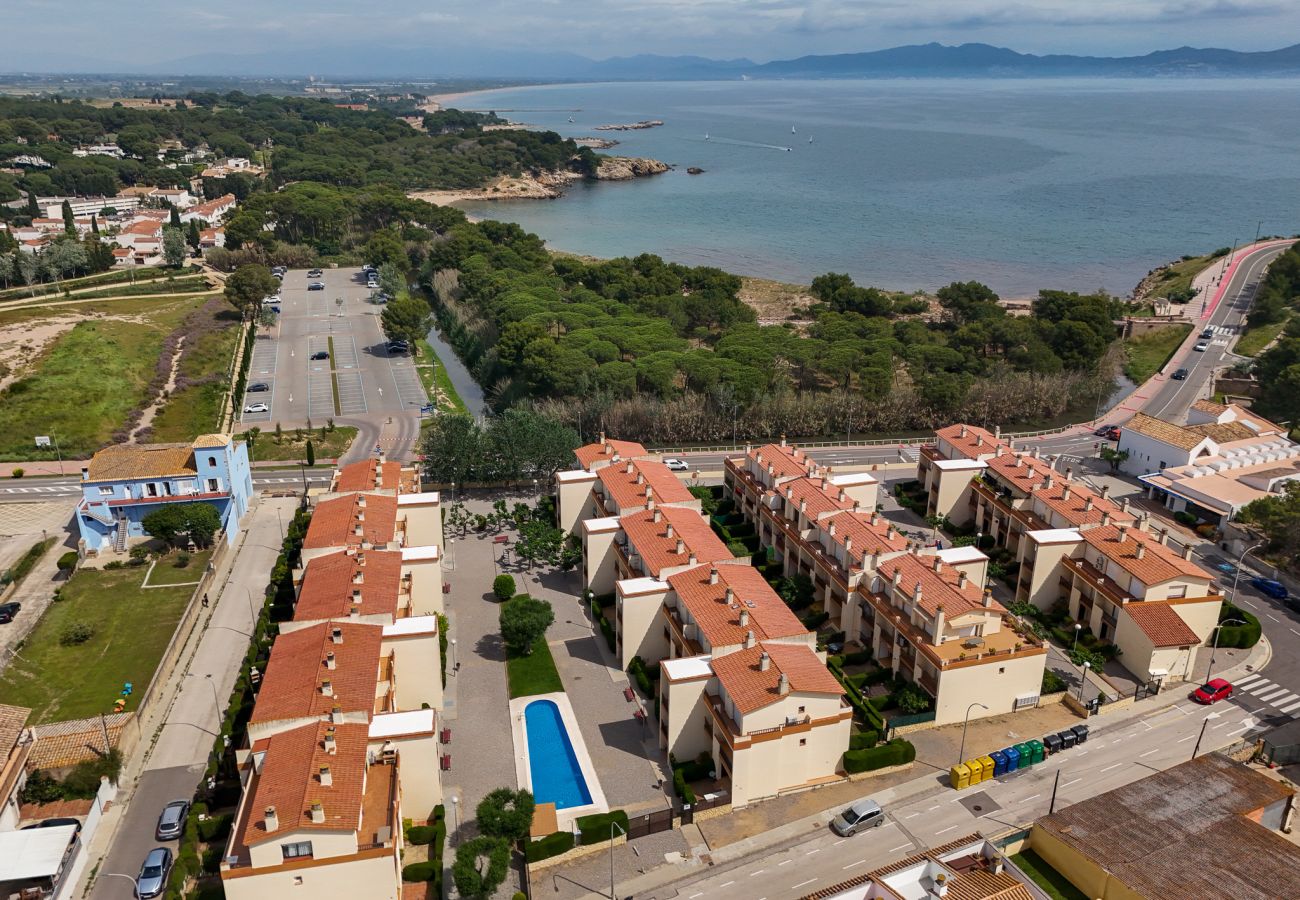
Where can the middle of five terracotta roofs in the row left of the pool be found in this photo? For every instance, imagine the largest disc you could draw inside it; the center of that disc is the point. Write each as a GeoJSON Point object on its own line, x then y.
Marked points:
{"type": "Point", "coordinates": [330, 582]}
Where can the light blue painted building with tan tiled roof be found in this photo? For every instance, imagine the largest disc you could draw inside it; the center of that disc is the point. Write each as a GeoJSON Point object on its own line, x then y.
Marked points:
{"type": "Point", "coordinates": [125, 483]}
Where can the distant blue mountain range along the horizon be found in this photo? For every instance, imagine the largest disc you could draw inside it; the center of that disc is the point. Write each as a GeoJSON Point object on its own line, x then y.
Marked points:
{"type": "Point", "coordinates": [921, 60]}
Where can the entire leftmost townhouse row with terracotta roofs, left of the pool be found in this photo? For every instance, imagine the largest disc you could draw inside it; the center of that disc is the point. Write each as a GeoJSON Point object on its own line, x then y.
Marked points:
{"type": "Point", "coordinates": [344, 742]}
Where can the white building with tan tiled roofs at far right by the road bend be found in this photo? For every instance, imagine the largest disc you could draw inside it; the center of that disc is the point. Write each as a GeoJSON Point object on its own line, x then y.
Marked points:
{"type": "Point", "coordinates": [1224, 458]}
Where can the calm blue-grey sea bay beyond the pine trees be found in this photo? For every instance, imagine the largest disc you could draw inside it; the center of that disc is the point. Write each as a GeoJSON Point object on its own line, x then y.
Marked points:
{"type": "Point", "coordinates": [915, 184]}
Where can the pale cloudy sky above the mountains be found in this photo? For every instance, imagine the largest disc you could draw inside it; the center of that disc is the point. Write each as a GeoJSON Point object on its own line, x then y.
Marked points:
{"type": "Point", "coordinates": [70, 34]}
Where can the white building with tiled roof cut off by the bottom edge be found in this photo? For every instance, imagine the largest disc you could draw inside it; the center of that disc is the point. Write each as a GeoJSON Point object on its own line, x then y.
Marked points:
{"type": "Point", "coordinates": [970, 868]}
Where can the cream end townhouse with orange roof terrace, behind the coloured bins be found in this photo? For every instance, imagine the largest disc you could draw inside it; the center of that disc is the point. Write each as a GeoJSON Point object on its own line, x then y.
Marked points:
{"type": "Point", "coordinates": [934, 624]}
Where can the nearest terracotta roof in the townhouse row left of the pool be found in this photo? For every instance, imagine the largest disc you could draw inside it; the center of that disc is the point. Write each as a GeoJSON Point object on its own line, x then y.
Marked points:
{"type": "Point", "coordinates": [291, 781]}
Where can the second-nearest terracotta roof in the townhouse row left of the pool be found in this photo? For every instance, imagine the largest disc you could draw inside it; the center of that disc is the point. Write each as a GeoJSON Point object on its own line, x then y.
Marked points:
{"type": "Point", "coordinates": [297, 672]}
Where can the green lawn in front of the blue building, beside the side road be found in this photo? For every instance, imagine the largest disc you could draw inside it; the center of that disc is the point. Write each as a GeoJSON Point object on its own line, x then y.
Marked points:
{"type": "Point", "coordinates": [132, 629]}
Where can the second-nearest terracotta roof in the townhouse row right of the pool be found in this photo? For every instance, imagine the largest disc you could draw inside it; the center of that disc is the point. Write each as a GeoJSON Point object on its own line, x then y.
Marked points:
{"type": "Point", "coordinates": [768, 615]}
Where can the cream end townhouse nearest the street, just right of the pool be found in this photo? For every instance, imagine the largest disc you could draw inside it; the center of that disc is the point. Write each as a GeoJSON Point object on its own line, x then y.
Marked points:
{"type": "Point", "coordinates": [772, 717]}
